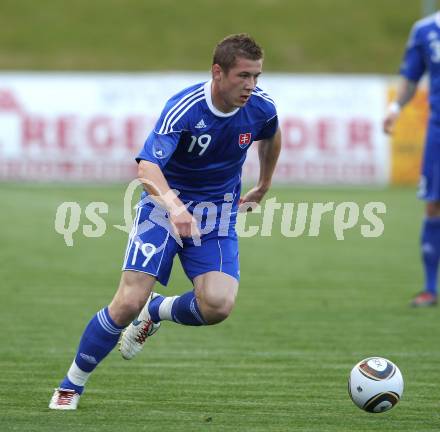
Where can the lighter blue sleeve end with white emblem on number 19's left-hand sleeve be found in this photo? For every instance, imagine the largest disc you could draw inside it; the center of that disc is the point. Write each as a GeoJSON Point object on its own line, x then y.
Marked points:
{"type": "Point", "coordinates": [159, 148]}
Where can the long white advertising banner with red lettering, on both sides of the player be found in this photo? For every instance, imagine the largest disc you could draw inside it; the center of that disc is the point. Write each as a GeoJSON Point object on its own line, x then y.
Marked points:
{"type": "Point", "coordinates": [89, 127]}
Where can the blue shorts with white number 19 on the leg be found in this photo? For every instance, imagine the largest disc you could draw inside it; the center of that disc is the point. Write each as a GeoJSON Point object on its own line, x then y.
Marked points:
{"type": "Point", "coordinates": [152, 247]}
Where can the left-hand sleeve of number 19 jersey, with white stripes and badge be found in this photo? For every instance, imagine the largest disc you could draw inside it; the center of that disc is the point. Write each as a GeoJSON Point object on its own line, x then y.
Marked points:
{"type": "Point", "coordinates": [162, 141]}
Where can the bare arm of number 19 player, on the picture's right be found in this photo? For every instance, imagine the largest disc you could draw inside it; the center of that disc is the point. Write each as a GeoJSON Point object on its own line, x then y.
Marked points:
{"type": "Point", "coordinates": [268, 152]}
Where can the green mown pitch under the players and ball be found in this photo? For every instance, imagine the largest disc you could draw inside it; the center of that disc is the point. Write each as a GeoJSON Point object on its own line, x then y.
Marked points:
{"type": "Point", "coordinates": [308, 309]}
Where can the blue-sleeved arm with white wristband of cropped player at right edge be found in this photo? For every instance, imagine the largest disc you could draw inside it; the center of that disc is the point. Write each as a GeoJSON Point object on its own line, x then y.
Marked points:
{"type": "Point", "coordinates": [411, 70]}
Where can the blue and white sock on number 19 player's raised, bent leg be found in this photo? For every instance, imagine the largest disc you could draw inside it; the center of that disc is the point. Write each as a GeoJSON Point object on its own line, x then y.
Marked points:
{"type": "Point", "coordinates": [183, 309]}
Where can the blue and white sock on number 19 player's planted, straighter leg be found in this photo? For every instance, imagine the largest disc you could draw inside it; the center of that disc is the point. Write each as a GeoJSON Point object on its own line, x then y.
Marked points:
{"type": "Point", "coordinates": [98, 339]}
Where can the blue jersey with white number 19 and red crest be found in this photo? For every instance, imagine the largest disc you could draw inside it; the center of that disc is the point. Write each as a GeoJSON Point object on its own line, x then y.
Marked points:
{"type": "Point", "coordinates": [200, 149]}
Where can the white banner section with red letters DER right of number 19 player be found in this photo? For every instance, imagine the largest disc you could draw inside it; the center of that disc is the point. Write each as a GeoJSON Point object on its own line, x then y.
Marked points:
{"type": "Point", "coordinates": [331, 129]}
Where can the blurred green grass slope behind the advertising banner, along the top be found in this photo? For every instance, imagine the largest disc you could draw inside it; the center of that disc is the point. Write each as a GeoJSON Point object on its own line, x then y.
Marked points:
{"type": "Point", "coordinates": [298, 36]}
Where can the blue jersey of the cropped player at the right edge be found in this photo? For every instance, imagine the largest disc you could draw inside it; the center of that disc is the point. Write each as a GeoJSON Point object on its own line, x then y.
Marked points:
{"type": "Point", "coordinates": [423, 54]}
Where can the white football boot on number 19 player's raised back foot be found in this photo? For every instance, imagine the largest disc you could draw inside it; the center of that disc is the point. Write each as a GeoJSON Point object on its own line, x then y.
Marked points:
{"type": "Point", "coordinates": [134, 336]}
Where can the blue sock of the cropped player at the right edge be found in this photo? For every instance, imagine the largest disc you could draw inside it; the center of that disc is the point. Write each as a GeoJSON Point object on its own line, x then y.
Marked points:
{"type": "Point", "coordinates": [430, 245]}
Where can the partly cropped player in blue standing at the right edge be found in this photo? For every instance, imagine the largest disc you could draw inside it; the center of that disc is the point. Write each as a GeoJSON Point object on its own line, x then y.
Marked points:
{"type": "Point", "coordinates": [423, 55]}
